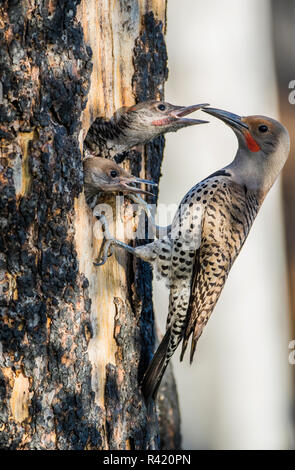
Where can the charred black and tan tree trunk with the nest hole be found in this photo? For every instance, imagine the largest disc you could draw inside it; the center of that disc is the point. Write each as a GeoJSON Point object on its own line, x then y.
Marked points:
{"type": "Point", "coordinates": [75, 340]}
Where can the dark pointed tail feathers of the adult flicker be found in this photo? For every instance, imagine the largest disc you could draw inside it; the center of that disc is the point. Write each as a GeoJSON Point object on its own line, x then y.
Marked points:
{"type": "Point", "coordinates": [155, 371]}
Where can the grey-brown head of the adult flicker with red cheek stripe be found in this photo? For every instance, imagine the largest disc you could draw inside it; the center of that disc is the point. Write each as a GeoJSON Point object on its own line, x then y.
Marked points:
{"type": "Point", "coordinates": [264, 146]}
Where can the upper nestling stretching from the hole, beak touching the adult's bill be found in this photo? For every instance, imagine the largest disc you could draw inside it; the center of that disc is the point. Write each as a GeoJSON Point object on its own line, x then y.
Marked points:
{"type": "Point", "coordinates": [138, 124]}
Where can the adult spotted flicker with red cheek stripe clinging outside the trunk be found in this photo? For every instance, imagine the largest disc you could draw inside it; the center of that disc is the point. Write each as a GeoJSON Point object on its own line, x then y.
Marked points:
{"type": "Point", "coordinates": [208, 232]}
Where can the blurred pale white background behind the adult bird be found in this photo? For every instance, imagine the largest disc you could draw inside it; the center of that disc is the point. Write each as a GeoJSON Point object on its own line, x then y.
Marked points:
{"type": "Point", "coordinates": [239, 56]}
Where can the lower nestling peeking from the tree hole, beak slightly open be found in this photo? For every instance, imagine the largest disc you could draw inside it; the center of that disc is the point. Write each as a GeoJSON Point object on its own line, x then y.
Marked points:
{"type": "Point", "coordinates": [104, 175]}
